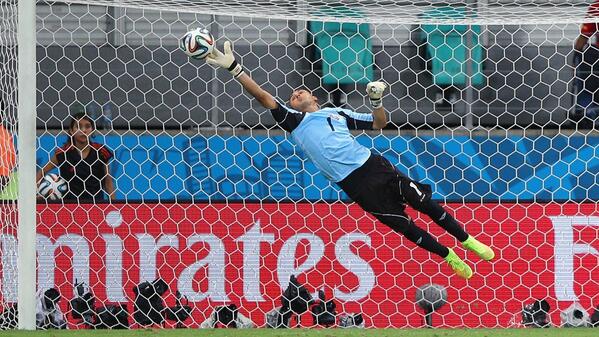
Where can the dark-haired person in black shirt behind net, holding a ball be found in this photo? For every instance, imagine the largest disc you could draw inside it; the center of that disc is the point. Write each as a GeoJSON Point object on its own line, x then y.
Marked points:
{"type": "Point", "coordinates": [83, 163]}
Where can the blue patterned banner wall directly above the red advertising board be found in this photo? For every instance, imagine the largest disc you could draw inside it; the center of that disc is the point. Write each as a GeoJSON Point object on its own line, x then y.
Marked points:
{"type": "Point", "coordinates": [198, 168]}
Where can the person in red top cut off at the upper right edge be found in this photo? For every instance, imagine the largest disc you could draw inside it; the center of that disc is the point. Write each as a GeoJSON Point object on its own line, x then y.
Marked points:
{"type": "Point", "coordinates": [586, 81]}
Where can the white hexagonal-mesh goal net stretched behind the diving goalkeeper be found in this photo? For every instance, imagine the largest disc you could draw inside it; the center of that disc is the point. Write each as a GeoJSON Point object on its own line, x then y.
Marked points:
{"type": "Point", "coordinates": [214, 206]}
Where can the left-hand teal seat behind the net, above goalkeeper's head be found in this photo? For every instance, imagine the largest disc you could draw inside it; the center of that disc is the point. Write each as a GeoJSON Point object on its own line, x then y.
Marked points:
{"type": "Point", "coordinates": [345, 53]}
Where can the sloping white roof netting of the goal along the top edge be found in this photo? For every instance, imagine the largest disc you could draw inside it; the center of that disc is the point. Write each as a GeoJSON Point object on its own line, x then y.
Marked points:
{"type": "Point", "coordinates": [381, 11]}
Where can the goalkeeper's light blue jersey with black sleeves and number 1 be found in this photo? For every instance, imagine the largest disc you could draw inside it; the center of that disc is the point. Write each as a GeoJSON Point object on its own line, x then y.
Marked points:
{"type": "Point", "coordinates": [325, 138]}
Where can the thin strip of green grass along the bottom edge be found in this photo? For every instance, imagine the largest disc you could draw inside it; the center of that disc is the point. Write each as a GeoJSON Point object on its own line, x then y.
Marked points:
{"type": "Point", "coordinates": [550, 332]}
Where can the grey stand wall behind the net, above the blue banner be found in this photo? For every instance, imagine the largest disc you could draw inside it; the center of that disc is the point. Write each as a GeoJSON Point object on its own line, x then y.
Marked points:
{"type": "Point", "coordinates": [124, 57]}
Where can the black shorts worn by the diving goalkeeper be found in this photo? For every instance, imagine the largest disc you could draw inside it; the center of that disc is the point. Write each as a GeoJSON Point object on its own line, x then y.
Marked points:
{"type": "Point", "coordinates": [381, 189]}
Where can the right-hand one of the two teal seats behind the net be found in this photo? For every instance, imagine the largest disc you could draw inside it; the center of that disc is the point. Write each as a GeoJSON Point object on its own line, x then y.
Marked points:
{"type": "Point", "coordinates": [448, 50]}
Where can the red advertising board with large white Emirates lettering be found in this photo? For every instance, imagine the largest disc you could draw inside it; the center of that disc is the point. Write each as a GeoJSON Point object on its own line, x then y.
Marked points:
{"type": "Point", "coordinates": [244, 253]}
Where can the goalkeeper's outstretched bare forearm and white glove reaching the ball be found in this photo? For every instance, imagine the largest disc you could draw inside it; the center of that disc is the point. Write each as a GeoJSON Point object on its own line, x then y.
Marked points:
{"type": "Point", "coordinates": [227, 60]}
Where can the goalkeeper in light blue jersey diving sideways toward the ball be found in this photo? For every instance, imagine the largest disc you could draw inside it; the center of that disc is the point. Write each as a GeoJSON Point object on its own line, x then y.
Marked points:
{"type": "Point", "coordinates": [368, 179]}
